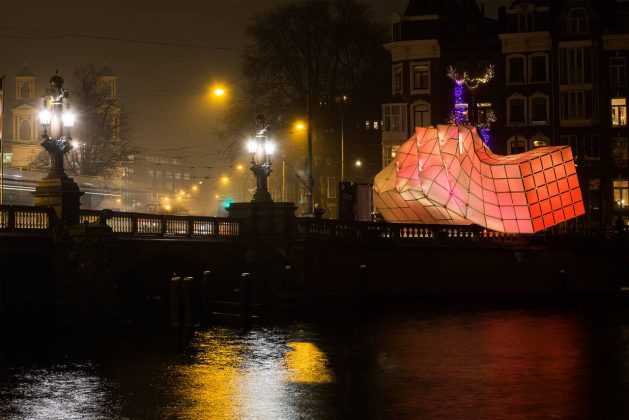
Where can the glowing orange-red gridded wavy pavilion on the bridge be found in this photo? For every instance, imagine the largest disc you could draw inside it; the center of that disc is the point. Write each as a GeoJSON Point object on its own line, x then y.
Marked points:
{"type": "Point", "coordinates": [447, 175]}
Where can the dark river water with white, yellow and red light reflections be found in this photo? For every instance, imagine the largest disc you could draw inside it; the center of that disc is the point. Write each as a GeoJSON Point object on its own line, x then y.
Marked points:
{"type": "Point", "coordinates": [438, 361]}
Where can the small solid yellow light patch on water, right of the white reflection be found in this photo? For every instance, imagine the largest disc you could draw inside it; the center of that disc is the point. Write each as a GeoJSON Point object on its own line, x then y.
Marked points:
{"type": "Point", "coordinates": [307, 364]}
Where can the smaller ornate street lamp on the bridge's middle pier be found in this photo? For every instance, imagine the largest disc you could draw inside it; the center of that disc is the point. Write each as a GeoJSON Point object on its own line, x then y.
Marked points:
{"type": "Point", "coordinates": [261, 149]}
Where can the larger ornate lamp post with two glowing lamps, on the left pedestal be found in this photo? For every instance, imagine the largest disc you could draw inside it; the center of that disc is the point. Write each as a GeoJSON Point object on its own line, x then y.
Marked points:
{"type": "Point", "coordinates": [57, 190]}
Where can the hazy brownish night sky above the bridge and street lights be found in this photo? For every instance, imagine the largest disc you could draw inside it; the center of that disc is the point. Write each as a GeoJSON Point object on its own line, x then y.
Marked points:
{"type": "Point", "coordinates": [163, 80]}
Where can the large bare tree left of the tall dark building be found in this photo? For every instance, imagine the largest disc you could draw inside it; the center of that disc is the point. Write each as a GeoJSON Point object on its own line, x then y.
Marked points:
{"type": "Point", "coordinates": [309, 51]}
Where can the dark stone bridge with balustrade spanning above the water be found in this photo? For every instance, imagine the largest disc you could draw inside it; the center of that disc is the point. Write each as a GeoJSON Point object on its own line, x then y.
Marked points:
{"type": "Point", "coordinates": [123, 262]}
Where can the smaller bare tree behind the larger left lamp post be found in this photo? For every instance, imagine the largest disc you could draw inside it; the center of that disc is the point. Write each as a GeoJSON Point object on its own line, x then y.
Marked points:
{"type": "Point", "coordinates": [102, 134]}
